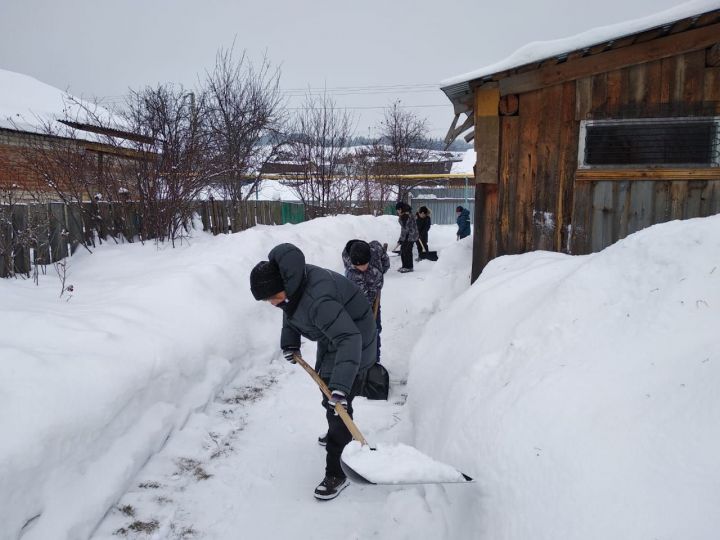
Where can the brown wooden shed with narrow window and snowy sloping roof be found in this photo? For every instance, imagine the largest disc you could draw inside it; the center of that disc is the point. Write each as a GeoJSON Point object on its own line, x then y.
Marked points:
{"type": "Point", "coordinates": [600, 136]}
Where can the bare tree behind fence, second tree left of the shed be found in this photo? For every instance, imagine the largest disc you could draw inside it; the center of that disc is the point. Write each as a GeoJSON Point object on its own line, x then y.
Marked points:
{"type": "Point", "coordinates": [318, 142]}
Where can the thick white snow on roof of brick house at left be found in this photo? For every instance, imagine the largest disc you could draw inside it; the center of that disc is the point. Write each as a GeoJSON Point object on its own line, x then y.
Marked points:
{"type": "Point", "coordinates": [27, 104]}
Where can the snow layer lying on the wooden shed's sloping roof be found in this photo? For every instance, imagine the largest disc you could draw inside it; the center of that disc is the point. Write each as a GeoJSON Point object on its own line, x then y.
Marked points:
{"type": "Point", "coordinates": [539, 50]}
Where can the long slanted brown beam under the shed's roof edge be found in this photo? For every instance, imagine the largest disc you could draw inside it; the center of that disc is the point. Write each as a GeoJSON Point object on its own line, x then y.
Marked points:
{"type": "Point", "coordinates": [656, 49]}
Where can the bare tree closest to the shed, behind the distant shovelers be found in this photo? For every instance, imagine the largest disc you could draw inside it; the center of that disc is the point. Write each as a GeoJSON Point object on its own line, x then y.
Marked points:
{"type": "Point", "coordinates": [402, 143]}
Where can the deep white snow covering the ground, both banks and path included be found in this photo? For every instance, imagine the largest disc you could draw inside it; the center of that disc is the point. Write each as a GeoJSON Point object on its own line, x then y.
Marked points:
{"type": "Point", "coordinates": [580, 392]}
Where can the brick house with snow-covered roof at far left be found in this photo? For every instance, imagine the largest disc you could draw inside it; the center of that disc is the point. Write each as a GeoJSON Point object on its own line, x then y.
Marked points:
{"type": "Point", "coordinates": [27, 109]}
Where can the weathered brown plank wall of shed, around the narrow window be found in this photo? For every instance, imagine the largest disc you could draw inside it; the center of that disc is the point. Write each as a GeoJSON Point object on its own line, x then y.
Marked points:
{"type": "Point", "coordinates": [539, 203]}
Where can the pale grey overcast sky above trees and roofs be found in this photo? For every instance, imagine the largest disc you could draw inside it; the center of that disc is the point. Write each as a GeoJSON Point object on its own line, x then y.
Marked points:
{"type": "Point", "coordinates": [367, 53]}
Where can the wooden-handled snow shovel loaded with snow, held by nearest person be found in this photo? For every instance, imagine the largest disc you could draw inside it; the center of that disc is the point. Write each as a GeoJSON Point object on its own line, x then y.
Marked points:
{"type": "Point", "coordinates": [395, 464]}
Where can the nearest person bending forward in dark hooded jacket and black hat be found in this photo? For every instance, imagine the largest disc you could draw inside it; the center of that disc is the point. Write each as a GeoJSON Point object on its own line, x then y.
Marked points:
{"type": "Point", "coordinates": [323, 306]}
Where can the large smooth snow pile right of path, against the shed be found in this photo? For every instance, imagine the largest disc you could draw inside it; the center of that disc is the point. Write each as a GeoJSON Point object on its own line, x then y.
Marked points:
{"type": "Point", "coordinates": [581, 392]}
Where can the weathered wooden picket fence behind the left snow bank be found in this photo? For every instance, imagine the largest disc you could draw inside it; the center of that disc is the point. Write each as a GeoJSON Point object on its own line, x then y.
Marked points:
{"type": "Point", "coordinates": [40, 234]}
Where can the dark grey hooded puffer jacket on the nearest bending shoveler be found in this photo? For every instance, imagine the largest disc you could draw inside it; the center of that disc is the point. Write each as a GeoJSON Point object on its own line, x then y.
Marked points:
{"type": "Point", "coordinates": [327, 308]}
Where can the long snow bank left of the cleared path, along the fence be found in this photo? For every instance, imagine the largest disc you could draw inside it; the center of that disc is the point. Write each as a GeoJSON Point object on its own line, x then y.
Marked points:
{"type": "Point", "coordinates": [91, 387]}
